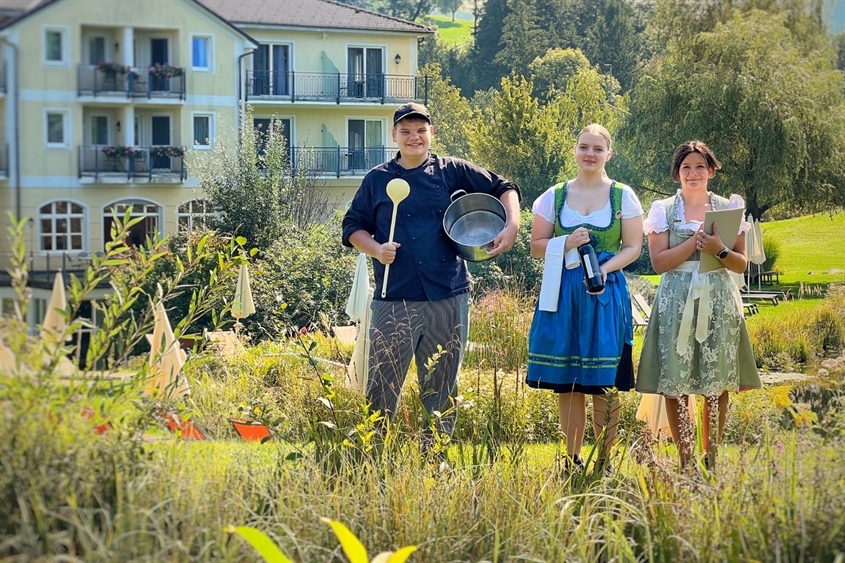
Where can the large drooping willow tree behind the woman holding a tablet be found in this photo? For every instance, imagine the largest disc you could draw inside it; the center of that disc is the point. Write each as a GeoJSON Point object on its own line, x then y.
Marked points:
{"type": "Point", "coordinates": [772, 112]}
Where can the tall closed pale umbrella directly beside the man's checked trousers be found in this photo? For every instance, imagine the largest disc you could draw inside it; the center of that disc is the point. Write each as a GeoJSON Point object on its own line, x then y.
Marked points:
{"type": "Point", "coordinates": [358, 309]}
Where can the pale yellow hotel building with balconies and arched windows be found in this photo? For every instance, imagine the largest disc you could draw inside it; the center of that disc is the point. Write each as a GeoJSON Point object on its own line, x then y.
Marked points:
{"type": "Point", "coordinates": [101, 101]}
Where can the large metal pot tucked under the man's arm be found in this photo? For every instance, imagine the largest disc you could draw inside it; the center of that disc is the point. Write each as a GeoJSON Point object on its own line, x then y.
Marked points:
{"type": "Point", "coordinates": [472, 222]}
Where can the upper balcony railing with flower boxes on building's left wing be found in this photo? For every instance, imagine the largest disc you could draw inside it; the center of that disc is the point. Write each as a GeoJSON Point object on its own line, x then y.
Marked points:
{"type": "Point", "coordinates": [136, 83]}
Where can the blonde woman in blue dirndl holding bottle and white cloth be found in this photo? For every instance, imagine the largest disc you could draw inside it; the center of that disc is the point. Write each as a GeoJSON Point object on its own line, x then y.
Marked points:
{"type": "Point", "coordinates": [580, 343]}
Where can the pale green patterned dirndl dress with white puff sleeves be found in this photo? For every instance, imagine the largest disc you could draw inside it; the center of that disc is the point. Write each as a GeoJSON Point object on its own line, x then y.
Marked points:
{"type": "Point", "coordinates": [724, 360]}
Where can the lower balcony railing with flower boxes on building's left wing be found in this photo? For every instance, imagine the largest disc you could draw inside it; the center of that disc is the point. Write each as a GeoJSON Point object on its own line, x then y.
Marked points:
{"type": "Point", "coordinates": [143, 164]}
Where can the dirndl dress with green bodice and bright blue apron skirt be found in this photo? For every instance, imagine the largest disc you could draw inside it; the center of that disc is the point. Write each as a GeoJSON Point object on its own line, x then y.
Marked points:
{"type": "Point", "coordinates": [585, 346]}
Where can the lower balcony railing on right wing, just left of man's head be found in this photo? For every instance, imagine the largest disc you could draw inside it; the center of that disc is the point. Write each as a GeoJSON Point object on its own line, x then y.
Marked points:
{"type": "Point", "coordinates": [337, 161]}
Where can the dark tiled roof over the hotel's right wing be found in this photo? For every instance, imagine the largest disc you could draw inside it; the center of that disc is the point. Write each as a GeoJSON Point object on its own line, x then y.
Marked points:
{"type": "Point", "coordinates": [321, 14]}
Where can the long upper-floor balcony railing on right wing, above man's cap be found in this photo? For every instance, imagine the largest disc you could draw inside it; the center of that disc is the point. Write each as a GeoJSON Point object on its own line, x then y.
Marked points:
{"type": "Point", "coordinates": [336, 87]}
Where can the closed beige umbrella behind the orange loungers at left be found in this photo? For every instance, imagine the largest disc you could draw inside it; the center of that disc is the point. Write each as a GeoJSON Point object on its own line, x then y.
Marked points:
{"type": "Point", "coordinates": [166, 359]}
